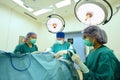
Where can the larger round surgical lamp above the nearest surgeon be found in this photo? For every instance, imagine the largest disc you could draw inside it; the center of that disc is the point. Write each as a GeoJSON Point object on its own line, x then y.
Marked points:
{"type": "Point", "coordinates": [92, 12]}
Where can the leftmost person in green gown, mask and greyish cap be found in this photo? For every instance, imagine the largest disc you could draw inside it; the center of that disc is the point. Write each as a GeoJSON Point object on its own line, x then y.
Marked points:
{"type": "Point", "coordinates": [29, 44]}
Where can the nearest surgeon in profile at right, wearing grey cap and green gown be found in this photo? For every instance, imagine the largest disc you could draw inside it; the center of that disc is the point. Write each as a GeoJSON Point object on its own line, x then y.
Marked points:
{"type": "Point", "coordinates": [101, 61]}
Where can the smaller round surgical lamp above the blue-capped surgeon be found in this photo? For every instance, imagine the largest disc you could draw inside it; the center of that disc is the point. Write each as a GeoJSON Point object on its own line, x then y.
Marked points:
{"type": "Point", "coordinates": [55, 23]}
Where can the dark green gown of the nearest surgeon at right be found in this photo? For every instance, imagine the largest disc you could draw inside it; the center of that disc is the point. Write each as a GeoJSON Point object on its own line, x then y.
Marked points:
{"type": "Point", "coordinates": [101, 64]}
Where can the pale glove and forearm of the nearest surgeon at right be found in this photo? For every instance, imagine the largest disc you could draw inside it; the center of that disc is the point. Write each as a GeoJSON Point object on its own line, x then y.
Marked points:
{"type": "Point", "coordinates": [82, 66]}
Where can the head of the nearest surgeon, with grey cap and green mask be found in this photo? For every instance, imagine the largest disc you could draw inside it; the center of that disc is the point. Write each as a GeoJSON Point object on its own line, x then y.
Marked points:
{"type": "Point", "coordinates": [94, 34]}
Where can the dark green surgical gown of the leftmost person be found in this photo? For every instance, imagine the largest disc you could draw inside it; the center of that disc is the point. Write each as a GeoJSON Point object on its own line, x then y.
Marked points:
{"type": "Point", "coordinates": [24, 48]}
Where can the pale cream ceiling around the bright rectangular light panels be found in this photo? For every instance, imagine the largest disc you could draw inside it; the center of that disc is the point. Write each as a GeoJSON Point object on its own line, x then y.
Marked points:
{"type": "Point", "coordinates": [66, 12]}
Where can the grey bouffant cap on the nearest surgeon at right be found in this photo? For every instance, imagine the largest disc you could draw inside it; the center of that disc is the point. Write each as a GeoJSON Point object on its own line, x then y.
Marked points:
{"type": "Point", "coordinates": [97, 33]}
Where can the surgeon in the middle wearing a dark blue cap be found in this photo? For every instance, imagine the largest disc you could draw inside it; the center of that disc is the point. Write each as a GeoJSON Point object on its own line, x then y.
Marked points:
{"type": "Point", "coordinates": [61, 47]}
